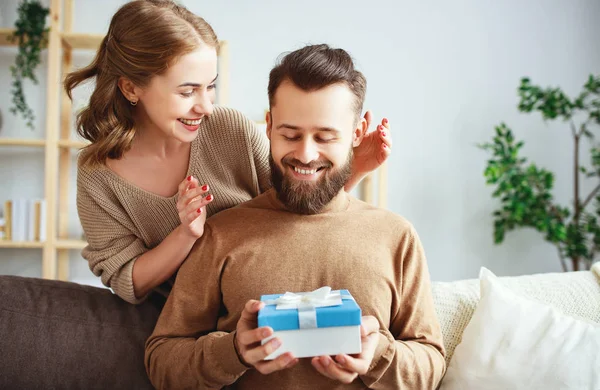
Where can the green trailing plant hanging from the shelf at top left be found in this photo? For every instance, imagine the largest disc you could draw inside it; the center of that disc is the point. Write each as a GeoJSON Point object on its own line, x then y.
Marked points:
{"type": "Point", "coordinates": [31, 36]}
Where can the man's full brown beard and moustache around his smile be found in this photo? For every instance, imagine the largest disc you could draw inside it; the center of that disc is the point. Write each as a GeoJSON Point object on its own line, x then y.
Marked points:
{"type": "Point", "coordinates": [309, 197]}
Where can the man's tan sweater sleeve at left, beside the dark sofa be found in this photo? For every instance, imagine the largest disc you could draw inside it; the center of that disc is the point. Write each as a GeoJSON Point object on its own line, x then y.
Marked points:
{"type": "Point", "coordinates": [185, 351]}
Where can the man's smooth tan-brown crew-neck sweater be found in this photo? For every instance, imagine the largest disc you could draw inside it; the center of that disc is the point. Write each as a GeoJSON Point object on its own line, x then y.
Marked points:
{"type": "Point", "coordinates": [260, 248]}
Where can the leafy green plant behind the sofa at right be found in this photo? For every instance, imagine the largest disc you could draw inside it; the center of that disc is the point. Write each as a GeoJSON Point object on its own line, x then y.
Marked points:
{"type": "Point", "coordinates": [525, 190]}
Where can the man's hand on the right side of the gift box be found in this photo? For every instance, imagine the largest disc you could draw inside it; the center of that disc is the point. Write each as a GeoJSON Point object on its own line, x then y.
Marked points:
{"type": "Point", "coordinates": [346, 368]}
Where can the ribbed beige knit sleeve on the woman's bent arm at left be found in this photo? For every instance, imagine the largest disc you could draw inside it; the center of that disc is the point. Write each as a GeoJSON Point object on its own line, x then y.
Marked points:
{"type": "Point", "coordinates": [112, 248]}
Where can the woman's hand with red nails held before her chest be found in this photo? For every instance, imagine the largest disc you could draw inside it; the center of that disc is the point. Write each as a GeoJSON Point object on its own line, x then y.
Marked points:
{"type": "Point", "coordinates": [191, 206]}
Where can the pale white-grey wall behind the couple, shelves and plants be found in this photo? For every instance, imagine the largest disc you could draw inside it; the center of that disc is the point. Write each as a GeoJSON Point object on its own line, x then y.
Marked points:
{"type": "Point", "coordinates": [445, 73]}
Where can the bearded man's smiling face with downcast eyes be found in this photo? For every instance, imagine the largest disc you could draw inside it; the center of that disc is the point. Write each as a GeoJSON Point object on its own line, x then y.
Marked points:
{"type": "Point", "coordinates": [312, 134]}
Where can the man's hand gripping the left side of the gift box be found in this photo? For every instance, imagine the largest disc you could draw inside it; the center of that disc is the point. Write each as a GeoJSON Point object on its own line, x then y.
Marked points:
{"type": "Point", "coordinates": [248, 342]}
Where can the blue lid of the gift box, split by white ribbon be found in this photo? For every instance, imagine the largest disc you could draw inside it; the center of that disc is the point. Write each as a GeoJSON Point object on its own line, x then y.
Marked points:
{"type": "Point", "coordinates": [346, 314]}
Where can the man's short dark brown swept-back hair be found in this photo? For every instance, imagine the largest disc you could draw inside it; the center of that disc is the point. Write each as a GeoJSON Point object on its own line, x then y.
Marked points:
{"type": "Point", "coordinates": [318, 66]}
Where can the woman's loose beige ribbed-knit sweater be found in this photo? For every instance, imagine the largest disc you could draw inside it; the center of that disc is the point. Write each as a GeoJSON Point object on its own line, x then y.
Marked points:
{"type": "Point", "coordinates": [122, 221]}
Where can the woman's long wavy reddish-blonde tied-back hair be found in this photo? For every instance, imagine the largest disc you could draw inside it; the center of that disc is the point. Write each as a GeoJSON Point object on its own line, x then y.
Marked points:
{"type": "Point", "coordinates": [144, 38]}
